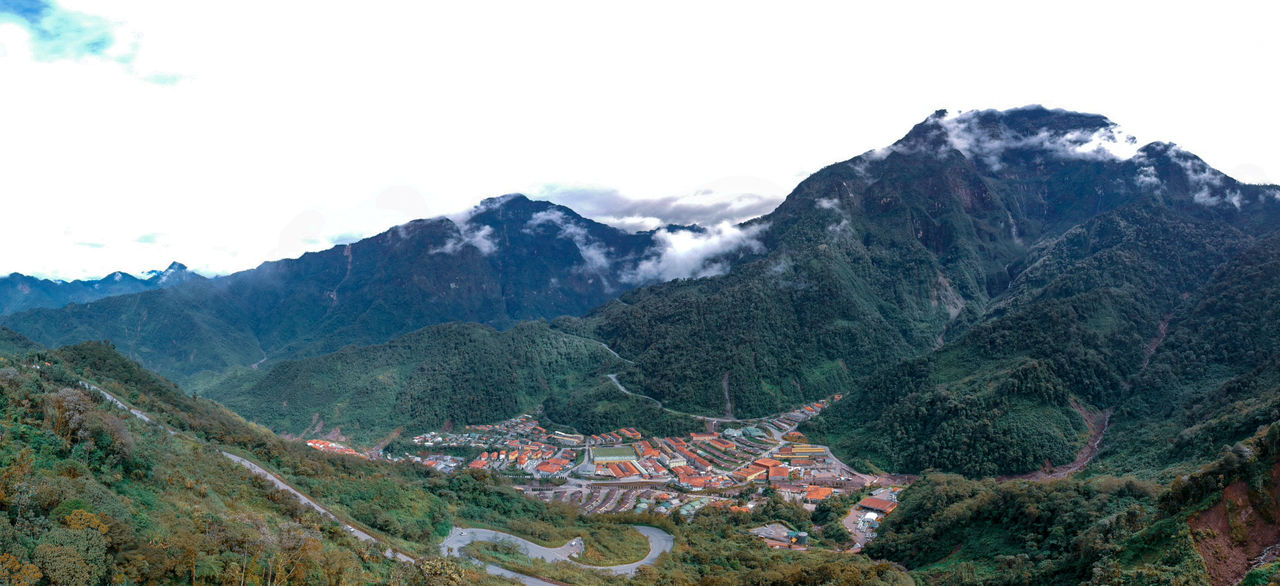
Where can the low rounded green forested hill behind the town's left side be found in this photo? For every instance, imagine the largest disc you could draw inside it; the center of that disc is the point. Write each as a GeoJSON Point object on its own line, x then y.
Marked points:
{"type": "Point", "coordinates": [454, 374]}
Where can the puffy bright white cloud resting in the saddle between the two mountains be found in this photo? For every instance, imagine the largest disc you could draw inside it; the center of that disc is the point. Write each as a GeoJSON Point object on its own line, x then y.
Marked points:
{"type": "Point", "coordinates": [696, 254]}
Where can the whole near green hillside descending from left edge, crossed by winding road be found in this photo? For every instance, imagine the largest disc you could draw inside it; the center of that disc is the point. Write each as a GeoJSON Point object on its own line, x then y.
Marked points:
{"type": "Point", "coordinates": [94, 495]}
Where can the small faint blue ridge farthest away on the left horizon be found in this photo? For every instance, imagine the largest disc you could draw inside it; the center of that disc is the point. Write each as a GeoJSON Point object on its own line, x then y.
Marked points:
{"type": "Point", "coordinates": [21, 292]}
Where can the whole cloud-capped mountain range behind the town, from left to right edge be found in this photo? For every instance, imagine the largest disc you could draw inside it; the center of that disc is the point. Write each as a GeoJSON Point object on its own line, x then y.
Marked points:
{"type": "Point", "coordinates": [976, 289]}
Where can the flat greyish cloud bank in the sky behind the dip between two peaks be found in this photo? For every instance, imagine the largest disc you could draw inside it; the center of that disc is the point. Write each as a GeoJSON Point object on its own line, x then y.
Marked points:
{"type": "Point", "coordinates": [705, 208]}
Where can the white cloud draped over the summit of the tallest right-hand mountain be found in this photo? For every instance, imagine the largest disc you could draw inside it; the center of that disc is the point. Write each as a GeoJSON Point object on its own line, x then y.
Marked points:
{"type": "Point", "coordinates": [986, 136]}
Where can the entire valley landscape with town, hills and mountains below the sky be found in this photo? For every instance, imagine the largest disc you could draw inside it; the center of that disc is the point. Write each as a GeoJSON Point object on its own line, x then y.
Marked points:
{"type": "Point", "coordinates": [1003, 350]}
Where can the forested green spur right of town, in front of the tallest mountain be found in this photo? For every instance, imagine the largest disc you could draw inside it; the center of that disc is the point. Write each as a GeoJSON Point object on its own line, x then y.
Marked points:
{"type": "Point", "coordinates": [1073, 331]}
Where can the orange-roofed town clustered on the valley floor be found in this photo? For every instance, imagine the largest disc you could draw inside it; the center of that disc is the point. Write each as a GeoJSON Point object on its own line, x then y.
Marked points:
{"type": "Point", "coordinates": [724, 470]}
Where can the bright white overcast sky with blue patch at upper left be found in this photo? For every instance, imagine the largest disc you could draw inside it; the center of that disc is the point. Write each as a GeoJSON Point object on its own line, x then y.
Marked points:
{"type": "Point", "coordinates": [223, 135]}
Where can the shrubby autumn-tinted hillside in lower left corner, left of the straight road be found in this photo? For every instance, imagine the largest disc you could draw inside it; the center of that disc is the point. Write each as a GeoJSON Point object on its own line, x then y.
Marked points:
{"type": "Point", "coordinates": [90, 495]}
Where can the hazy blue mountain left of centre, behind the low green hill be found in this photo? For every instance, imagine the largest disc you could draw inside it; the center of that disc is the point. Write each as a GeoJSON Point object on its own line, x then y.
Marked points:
{"type": "Point", "coordinates": [510, 259]}
